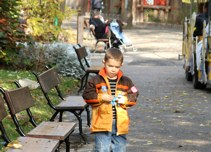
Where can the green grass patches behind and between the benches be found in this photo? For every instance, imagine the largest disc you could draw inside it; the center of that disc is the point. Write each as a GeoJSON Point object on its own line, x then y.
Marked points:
{"type": "Point", "coordinates": [41, 111]}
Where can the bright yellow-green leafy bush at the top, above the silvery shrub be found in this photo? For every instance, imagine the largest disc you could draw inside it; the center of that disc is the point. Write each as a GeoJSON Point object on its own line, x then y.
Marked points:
{"type": "Point", "coordinates": [44, 18]}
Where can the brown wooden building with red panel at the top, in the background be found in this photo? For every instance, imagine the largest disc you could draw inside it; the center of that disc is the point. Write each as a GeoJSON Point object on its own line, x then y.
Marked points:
{"type": "Point", "coordinates": [138, 11]}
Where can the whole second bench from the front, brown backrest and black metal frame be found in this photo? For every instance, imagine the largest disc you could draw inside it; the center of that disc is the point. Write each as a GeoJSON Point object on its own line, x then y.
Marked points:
{"type": "Point", "coordinates": [19, 100]}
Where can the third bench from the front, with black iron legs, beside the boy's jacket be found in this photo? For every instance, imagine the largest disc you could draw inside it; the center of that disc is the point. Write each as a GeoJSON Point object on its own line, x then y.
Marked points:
{"type": "Point", "coordinates": [49, 81]}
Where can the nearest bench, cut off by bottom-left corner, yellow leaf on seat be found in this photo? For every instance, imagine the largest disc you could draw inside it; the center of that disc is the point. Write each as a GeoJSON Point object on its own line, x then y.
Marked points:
{"type": "Point", "coordinates": [25, 143]}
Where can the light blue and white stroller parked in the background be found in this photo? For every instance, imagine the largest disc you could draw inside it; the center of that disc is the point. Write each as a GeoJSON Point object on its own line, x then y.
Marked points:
{"type": "Point", "coordinates": [117, 37]}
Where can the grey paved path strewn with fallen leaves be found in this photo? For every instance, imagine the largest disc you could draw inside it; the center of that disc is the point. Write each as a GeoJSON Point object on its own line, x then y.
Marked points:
{"type": "Point", "coordinates": [170, 115]}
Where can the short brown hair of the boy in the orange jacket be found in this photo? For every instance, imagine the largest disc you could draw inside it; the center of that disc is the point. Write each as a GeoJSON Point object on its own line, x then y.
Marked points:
{"type": "Point", "coordinates": [113, 53]}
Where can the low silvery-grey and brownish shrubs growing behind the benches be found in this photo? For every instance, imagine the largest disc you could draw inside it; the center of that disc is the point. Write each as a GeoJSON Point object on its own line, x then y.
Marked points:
{"type": "Point", "coordinates": [61, 55]}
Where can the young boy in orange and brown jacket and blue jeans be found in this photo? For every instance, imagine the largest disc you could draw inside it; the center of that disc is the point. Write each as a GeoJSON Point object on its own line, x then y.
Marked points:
{"type": "Point", "coordinates": [109, 94]}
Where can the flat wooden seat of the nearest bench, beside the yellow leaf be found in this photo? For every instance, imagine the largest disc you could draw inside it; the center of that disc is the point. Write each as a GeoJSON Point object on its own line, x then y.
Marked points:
{"type": "Point", "coordinates": [35, 145]}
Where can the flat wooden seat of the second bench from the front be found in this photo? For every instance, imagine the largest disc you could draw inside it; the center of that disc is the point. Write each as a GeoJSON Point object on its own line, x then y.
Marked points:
{"type": "Point", "coordinates": [52, 130]}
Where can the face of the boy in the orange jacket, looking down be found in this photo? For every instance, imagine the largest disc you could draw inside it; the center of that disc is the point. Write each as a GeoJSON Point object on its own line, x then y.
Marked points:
{"type": "Point", "coordinates": [112, 67]}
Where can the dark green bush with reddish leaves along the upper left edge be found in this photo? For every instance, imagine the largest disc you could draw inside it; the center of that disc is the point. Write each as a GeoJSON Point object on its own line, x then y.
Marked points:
{"type": "Point", "coordinates": [10, 30]}
